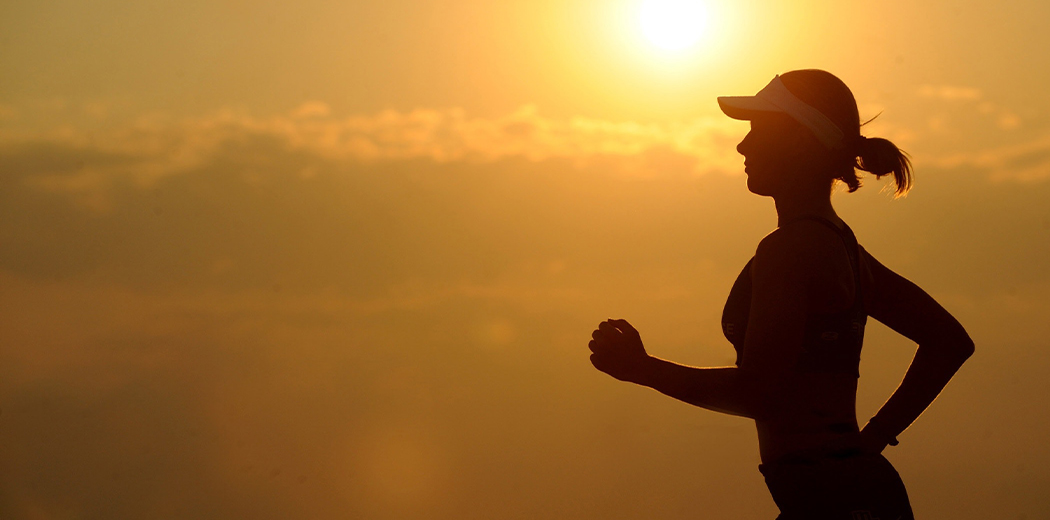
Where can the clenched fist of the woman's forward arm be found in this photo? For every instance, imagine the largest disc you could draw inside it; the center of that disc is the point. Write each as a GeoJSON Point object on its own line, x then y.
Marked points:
{"type": "Point", "coordinates": [618, 351]}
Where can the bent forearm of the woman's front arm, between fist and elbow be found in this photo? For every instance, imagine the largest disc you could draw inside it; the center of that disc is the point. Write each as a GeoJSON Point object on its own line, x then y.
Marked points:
{"type": "Point", "coordinates": [723, 389]}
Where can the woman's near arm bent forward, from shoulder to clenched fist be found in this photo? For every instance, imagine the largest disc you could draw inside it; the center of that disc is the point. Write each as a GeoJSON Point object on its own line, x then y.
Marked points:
{"type": "Point", "coordinates": [783, 268]}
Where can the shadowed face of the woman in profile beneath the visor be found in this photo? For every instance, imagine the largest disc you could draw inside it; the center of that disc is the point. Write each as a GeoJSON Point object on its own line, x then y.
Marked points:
{"type": "Point", "coordinates": [772, 152]}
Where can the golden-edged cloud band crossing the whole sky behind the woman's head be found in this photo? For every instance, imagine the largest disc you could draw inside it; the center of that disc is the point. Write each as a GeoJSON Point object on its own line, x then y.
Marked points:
{"type": "Point", "coordinates": [86, 157]}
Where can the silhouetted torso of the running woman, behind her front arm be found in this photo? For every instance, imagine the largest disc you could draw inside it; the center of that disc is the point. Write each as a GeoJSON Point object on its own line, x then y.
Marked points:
{"type": "Point", "coordinates": [817, 405]}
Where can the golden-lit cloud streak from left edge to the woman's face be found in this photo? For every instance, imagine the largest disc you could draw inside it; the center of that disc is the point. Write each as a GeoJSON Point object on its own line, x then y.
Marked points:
{"type": "Point", "coordinates": [156, 147]}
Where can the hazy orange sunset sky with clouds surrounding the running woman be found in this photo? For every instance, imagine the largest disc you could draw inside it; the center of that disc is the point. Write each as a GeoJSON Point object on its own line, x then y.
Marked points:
{"type": "Point", "coordinates": [342, 260]}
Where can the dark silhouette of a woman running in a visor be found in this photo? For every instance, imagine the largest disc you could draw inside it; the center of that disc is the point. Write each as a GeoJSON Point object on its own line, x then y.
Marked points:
{"type": "Point", "coordinates": [796, 315]}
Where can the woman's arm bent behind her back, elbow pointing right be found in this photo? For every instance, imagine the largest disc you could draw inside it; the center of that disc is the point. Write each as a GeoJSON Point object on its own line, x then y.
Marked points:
{"type": "Point", "coordinates": [943, 347]}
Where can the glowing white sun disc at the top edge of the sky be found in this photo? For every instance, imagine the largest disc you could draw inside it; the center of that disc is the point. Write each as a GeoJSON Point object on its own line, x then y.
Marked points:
{"type": "Point", "coordinates": [673, 25]}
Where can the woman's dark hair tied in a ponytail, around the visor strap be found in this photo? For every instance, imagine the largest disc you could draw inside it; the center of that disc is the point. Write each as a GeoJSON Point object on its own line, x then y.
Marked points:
{"type": "Point", "coordinates": [828, 94]}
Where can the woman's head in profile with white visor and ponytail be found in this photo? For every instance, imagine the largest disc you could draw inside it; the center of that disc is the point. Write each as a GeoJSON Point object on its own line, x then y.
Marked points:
{"type": "Point", "coordinates": [806, 128]}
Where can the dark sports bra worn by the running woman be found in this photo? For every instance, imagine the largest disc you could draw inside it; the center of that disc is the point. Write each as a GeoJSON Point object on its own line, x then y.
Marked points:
{"type": "Point", "coordinates": [832, 342]}
